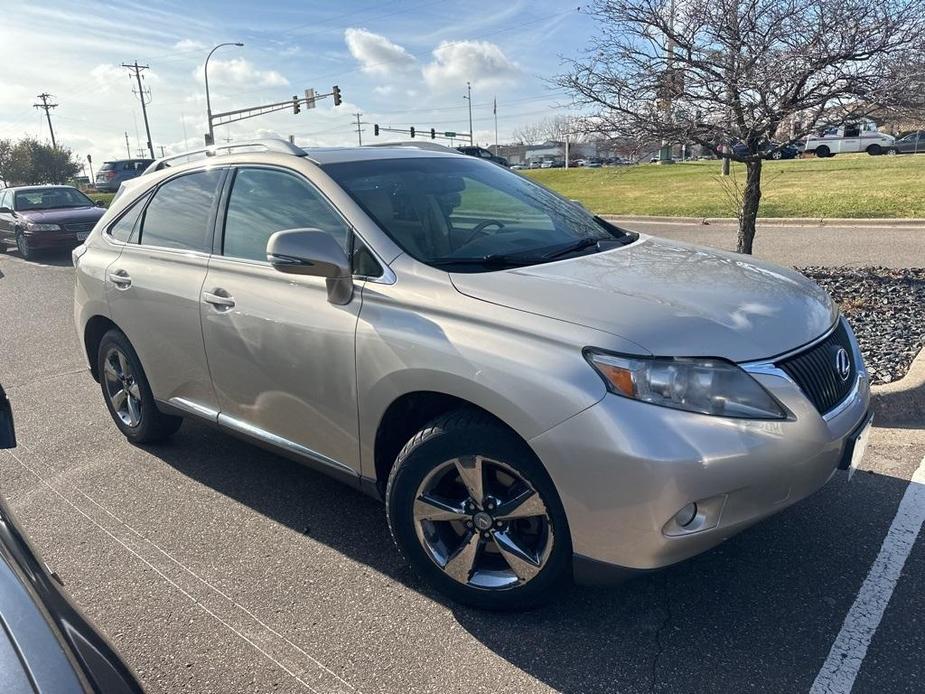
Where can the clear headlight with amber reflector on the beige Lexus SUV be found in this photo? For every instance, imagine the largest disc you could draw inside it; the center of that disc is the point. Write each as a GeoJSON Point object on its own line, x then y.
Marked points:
{"type": "Point", "coordinates": [708, 386]}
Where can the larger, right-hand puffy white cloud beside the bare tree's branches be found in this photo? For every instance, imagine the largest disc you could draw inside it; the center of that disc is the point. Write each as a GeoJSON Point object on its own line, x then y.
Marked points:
{"type": "Point", "coordinates": [480, 62]}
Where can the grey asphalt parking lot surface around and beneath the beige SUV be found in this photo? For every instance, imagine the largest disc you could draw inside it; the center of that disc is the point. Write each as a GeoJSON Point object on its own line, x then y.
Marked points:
{"type": "Point", "coordinates": [215, 566]}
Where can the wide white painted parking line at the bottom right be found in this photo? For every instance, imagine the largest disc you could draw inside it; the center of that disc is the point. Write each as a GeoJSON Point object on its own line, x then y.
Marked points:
{"type": "Point", "coordinates": [844, 662]}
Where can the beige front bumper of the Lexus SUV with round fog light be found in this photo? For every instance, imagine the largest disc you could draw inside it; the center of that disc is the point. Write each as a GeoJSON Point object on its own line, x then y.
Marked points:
{"type": "Point", "coordinates": [624, 468]}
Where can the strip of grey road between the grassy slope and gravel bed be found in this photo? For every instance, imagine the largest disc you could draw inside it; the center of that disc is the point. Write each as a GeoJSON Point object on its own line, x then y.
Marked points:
{"type": "Point", "coordinates": [806, 245]}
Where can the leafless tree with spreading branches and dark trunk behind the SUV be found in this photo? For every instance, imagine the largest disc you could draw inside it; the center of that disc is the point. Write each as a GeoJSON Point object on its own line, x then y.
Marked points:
{"type": "Point", "coordinates": [758, 73]}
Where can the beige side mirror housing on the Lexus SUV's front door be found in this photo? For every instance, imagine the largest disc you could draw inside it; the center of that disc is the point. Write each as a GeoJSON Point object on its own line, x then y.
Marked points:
{"type": "Point", "coordinates": [316, 253]}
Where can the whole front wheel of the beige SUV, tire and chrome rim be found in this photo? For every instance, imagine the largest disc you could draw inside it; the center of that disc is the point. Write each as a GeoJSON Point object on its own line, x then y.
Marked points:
{"type": "Point", "coordinates": [477, 516]}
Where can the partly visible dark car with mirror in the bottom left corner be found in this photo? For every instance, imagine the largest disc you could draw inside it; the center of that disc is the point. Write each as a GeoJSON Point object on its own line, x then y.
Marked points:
{"type": "Point", "coordinates": [46, 644]}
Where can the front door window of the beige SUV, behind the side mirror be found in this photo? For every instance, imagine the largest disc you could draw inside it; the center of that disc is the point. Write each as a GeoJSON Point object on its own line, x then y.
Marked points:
{"type": "Point", "coordinates": [264, 201]}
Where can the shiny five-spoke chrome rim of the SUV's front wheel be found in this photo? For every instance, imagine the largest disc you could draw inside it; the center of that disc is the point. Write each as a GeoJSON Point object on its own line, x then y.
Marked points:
{"type": "Point", "coordinates": [482, 523]}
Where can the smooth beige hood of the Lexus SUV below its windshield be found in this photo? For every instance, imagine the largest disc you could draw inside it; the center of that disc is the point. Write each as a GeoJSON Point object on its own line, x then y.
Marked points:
{"type": "Point", "coordinates": [671, 298]}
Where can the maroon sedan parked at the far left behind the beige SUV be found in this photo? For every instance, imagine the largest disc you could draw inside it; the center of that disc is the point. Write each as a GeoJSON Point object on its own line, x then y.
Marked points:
{"type": "Point", "coordinates": [39, 218]}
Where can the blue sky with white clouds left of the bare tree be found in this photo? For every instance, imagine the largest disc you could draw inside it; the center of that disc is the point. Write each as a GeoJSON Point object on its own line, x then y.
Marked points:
{"type": "Point", "coordinates": [400, 63]}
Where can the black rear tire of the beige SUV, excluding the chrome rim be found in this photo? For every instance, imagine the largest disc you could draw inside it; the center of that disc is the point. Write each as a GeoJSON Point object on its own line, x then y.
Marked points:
{"type": "Point", "coordinates": [153, 425]}
